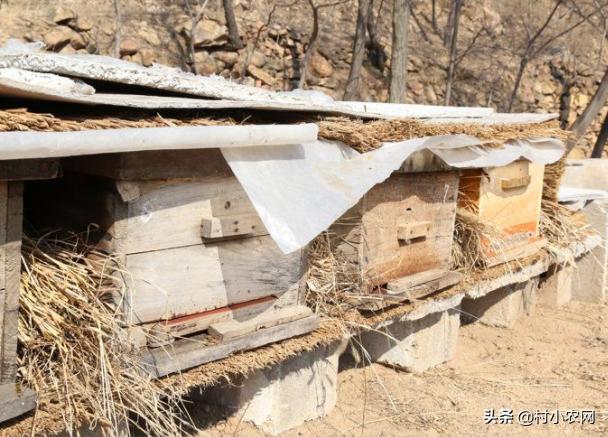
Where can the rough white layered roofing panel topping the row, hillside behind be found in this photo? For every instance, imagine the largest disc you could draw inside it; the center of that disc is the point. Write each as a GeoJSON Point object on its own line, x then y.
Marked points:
{"type": "Point", "coordinates": [28, 57]}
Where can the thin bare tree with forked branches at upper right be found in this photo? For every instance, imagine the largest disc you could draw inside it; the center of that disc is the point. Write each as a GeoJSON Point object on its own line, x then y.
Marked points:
{"type": "Point", "coordinates": [535, 45]}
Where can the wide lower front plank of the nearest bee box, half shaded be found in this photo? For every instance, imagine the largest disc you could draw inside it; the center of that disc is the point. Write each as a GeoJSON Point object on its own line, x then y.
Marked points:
{"type": "Point", "coordinates": [177, 282]}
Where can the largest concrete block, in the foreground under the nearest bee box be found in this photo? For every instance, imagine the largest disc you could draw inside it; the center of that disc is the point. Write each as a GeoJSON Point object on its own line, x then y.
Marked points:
{"type": "Point", "coordinates": [286, 395]}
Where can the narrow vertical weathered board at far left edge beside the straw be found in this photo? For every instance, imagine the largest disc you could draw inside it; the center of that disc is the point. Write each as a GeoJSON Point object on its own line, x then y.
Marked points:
{"type": "Point", "coordinates": [12, 272]}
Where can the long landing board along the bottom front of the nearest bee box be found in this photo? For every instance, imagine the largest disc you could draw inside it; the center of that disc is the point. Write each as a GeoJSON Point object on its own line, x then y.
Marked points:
{"type": "Point", "coordinates": [191, 352]}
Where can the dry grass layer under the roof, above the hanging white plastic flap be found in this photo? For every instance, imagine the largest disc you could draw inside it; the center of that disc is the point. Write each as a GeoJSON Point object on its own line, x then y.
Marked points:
{"type": "Point", "coordinates": [369, 135]}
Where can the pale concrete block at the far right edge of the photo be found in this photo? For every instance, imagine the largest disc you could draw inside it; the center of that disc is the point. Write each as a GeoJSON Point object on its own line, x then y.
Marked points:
{"type": "Point", "coordinates": [589, 280]}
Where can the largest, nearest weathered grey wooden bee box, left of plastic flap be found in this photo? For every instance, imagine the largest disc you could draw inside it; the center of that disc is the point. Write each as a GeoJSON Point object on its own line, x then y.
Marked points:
{"type": "Point", "coordinates": [196, 255]}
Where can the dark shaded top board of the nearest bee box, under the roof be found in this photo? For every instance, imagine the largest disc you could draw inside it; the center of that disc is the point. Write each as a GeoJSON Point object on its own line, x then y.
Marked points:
{"type": "Point", "coordinates": [150, 165]}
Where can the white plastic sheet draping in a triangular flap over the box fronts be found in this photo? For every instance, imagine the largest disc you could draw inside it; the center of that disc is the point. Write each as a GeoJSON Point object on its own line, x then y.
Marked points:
{"type": "Point", "coordinates": [299, 191]}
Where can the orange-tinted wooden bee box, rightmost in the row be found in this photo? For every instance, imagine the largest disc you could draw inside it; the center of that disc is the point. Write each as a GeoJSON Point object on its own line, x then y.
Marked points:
{"type": "Point", "coordinates": [509, 200]}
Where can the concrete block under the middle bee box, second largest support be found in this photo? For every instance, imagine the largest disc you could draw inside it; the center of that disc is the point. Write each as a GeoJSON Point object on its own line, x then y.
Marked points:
{"type": "Point", "coordinates": [414, 345]}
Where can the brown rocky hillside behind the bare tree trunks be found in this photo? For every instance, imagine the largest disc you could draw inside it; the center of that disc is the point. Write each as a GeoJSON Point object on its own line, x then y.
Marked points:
{"type": "Point", "coordinates": [276, 36]}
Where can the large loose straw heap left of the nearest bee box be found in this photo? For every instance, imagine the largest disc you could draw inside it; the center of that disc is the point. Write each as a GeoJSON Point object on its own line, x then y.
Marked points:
{"type": "Point", "coordinates": [73, 350]}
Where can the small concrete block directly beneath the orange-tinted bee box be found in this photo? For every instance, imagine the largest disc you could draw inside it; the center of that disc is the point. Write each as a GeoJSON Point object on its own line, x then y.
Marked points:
{"type": "Point", "coordinates": [502, 307]}
